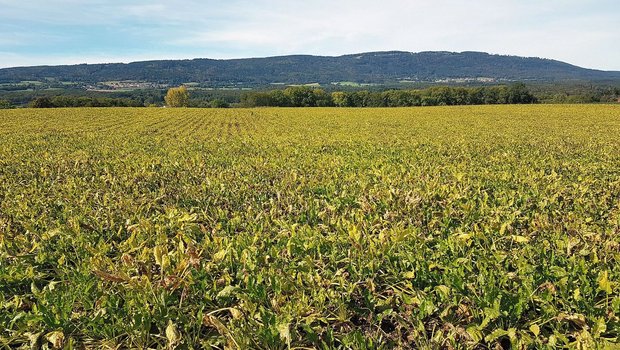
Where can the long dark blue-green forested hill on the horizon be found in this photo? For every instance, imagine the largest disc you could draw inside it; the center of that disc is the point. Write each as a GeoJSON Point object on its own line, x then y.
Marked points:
{"type": "Point", "coordinates": [370, 68]}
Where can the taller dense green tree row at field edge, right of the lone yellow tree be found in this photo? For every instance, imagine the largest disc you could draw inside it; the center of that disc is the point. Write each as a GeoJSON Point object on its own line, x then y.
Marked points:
{"type": "Point", "coordinates": [303, 96]}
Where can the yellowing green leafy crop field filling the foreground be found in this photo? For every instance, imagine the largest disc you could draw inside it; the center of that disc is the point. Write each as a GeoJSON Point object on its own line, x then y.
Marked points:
{"type": "Point", "coordinates": [444, 227]}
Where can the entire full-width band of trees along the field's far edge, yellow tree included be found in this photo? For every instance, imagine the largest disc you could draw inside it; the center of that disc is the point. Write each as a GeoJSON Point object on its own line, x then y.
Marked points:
{"type": "Point", "coordinates": [308, 96]}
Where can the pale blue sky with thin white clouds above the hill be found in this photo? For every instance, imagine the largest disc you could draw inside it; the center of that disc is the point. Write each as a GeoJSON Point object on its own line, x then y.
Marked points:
{"type": "Point", "coordinates": [50, 32]}
